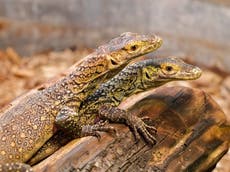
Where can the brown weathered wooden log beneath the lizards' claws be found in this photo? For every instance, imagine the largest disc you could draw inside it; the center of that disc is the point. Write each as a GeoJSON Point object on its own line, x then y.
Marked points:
{"type": "Point", "coordinates": [192, 135]}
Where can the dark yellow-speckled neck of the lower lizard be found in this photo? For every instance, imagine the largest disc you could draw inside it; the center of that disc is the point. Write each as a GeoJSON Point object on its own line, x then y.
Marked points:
{"type": "Point", "coordinates": [114, 91]}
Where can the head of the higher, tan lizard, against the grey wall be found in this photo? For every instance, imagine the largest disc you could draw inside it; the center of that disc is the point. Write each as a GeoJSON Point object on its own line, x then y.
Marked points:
{"type": "Point", "coordinates": [129, 45]}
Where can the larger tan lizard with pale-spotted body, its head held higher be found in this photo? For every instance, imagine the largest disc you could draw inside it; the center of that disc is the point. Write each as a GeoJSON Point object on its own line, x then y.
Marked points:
{"type": "Point", "coordinates": [28, 122]}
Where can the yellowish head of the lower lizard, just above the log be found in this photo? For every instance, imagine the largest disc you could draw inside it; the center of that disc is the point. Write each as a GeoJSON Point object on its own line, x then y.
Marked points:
{"type": "Point", "coordinates": [162, 70]}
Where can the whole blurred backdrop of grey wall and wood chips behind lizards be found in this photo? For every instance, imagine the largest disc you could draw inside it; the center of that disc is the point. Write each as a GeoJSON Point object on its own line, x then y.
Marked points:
{"type": "Point", "coordinates": [56, 33]}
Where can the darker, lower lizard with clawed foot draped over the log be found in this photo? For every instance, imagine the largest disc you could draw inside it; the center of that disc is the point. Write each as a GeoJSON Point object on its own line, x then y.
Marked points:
{"type": "Point", "coordinates": [138, 77]}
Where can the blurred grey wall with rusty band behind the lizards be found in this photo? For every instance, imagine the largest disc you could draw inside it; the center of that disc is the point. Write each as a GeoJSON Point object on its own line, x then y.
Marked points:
{"type": "Point", "coordinates": [198, 28]}
